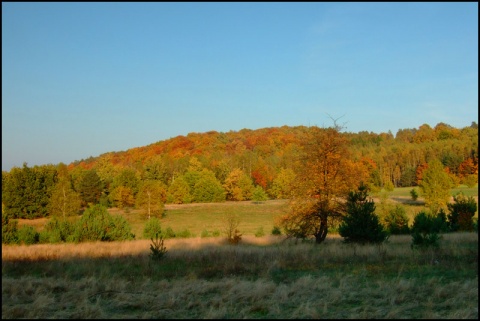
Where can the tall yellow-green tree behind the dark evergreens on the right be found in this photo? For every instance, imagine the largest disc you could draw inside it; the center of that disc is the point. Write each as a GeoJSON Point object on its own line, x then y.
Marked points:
{"type": "Point", "coordinates": [435, 186]}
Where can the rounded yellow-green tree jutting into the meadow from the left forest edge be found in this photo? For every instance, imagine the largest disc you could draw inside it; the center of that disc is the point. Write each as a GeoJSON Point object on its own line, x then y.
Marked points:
{"type": "Point", "coordinates": [151, 197]}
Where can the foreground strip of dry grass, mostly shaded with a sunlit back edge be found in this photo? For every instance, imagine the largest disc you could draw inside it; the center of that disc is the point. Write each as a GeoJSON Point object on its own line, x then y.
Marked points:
{"type": "Point", "coordinates": [260, 278]}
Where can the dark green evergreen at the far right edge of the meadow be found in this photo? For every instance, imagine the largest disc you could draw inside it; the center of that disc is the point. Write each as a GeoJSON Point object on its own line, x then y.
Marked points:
{"type": "Point", "coordinates": [461, 213]}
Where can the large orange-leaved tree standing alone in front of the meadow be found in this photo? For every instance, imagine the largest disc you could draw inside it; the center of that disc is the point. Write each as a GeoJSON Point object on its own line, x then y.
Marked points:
{"type": "Point", "coordinates": [322, 184]}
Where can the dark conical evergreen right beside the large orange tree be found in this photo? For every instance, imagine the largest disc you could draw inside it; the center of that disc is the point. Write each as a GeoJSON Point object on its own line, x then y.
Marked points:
{"type": "Point", "coordinates": [361, 224]}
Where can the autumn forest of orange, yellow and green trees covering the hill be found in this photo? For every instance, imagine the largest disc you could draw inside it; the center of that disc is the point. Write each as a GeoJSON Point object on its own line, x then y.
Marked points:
{"type": "Point", "coordinates": [238, 165]}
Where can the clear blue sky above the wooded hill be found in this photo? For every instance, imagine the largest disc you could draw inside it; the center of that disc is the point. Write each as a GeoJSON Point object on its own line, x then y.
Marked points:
{"type": "Point", "coordinates": [83, 79]}
